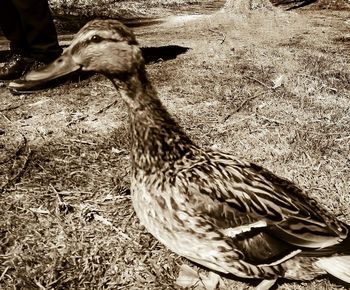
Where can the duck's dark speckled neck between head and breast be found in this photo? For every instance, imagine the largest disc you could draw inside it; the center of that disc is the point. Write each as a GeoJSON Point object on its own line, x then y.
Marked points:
{"type": "Point", "coordinates": [156, 139]}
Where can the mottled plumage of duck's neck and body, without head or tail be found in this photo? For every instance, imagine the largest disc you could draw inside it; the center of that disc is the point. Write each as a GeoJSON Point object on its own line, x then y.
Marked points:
{"type": "Point", "coordinates": [188, 198]}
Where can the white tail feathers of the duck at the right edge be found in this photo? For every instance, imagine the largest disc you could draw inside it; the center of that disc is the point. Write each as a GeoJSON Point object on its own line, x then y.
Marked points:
{"type": "Point", "coordinates": [338, 266]}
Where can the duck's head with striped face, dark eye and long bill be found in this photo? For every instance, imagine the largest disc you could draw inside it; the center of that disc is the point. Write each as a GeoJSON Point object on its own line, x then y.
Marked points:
{"type": "Point", "coordinates": [104, 46]}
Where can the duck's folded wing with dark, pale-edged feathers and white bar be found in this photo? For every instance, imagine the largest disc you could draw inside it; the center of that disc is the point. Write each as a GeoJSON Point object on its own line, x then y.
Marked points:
{"type": "Point", "coordinates": [246, 199]}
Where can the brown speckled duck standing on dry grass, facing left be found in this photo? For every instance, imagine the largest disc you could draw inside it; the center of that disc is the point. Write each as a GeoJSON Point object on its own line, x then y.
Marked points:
{"type": "Point", "coordinates": [230, 216]}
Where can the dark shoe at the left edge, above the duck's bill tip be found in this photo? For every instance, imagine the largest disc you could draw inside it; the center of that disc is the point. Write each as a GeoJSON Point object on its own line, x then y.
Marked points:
{"type": "Point", "coordinates": [15, 67]}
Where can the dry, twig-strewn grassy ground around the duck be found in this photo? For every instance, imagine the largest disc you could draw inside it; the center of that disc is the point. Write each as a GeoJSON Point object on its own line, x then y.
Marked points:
{"type": "Point", "coordinates": [266, 85]}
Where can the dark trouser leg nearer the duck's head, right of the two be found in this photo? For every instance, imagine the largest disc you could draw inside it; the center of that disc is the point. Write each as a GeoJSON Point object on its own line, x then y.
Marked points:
{"type": "Point", "coordinates": [39, 29]}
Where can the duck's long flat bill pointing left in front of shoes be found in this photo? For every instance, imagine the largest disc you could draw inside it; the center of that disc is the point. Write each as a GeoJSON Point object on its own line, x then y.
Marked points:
{"type": "Point", "coordinates": [62, 66]}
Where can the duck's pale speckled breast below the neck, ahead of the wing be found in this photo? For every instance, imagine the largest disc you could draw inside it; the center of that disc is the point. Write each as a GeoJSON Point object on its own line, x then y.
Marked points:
{"type": "Point", "coordinates": [167, 213]}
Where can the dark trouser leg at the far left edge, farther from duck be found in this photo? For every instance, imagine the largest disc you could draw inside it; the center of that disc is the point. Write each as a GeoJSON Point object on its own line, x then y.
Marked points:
{"type": "Point", "coordinates": [10, 23]}
